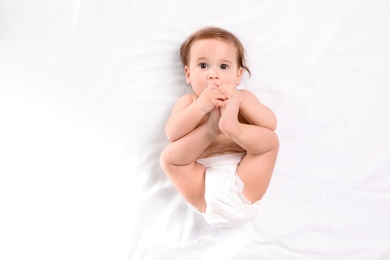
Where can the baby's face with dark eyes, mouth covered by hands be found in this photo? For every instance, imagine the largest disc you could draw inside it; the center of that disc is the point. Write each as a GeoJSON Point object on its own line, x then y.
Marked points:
{"type": "Point", "coordinates": [212, 61]}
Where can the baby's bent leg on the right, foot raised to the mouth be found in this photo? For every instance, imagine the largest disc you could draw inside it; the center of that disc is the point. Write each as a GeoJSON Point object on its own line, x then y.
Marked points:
{"type": "Point", "coordinates": [262, 147]}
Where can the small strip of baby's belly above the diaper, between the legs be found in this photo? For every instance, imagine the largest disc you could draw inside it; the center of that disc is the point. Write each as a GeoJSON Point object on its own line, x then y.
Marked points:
{"type": "Point", "coordinates": [221, 145]}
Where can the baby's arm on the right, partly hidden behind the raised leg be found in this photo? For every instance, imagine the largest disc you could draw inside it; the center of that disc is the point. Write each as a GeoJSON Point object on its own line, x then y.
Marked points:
{"type": "Point", "coordinates": [255, 112]}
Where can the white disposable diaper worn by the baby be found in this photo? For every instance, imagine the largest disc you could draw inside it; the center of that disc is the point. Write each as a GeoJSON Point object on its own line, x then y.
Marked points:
{"type": "Point", "coordinates": [226, 205]}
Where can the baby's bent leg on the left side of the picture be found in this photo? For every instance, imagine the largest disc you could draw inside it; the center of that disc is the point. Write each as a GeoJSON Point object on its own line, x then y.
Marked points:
{"type": "Point", "coordinates": [178, 162]}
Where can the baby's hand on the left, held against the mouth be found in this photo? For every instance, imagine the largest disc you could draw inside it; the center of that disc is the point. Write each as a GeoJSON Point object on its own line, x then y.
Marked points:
{"type": "Point", "coordinates": [210, 98]}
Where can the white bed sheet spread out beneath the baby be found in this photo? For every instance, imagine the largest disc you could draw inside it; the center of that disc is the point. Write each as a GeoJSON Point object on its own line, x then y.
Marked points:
{"type": "Point", "coordinates": [86, 87]}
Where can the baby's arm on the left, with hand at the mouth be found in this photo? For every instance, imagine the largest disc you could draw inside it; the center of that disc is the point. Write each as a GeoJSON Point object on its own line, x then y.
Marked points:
{"type": "Point", "coordinates": [187, 113]}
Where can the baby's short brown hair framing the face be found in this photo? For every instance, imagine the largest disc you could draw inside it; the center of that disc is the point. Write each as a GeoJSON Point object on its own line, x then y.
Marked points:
{"type": "Point", "coordinates": [214, 33]}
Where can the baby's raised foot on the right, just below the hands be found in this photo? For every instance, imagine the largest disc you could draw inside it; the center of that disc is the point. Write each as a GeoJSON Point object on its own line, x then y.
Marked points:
{"type": "Point", "coordinates": [229, 120]}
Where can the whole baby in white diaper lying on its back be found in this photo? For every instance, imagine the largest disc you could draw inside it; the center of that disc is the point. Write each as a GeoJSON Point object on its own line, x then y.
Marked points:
{"type": "Point", "coordinates": [223, 147]}
